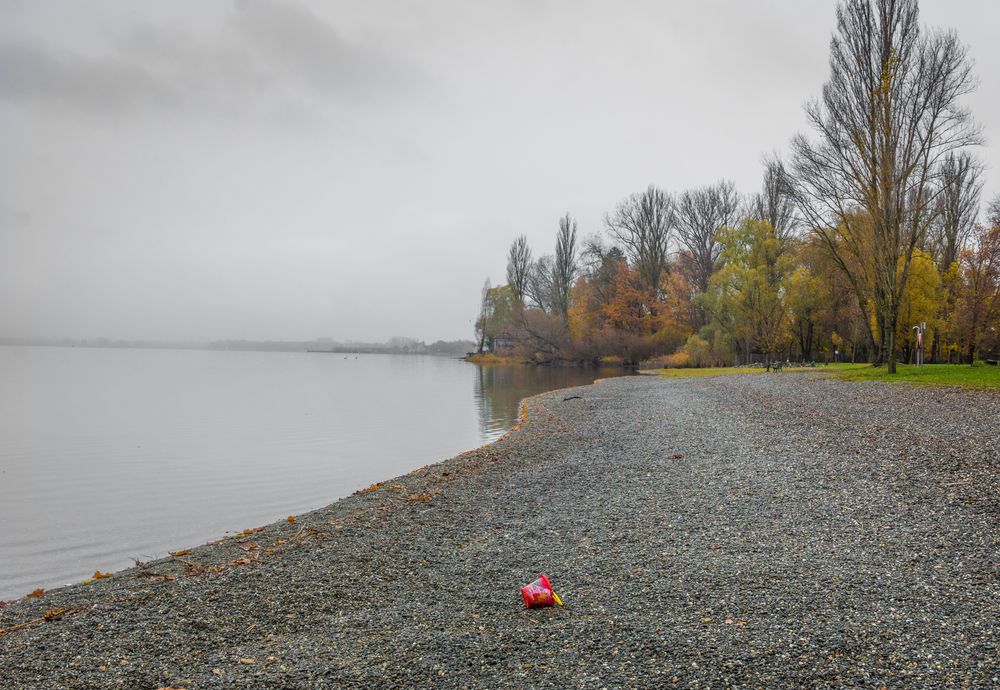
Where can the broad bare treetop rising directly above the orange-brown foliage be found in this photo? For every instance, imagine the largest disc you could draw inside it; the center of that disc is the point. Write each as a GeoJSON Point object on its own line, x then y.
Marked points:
{"type": "Point", "coordinates": [643, 224]}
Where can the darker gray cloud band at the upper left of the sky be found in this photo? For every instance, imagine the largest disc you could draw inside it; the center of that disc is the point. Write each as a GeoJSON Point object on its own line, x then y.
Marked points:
{"type": "Point", "coordinates": [262, 52]}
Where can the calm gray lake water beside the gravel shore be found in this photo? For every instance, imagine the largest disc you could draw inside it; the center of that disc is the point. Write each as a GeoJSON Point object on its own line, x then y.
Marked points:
{"type": "Point", "coordinates": [112, 455]}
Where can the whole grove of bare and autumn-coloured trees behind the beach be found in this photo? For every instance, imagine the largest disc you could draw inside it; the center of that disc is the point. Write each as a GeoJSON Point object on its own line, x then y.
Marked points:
{"type": "Point", "coordinates": [869, 228]}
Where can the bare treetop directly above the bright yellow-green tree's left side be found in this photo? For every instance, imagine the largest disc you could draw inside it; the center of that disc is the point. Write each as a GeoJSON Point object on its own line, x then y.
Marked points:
{"type": "Point", "coordinates": [700, 215]}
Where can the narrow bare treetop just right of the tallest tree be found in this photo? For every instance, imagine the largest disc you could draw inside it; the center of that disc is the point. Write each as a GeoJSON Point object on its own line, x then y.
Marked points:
{"type": "Point", "coordinates": [961, 185]}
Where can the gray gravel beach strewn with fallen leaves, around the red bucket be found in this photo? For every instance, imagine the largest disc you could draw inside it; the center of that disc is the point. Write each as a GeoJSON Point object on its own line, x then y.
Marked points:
{"type": "Point", "coordinates": [779, 530]}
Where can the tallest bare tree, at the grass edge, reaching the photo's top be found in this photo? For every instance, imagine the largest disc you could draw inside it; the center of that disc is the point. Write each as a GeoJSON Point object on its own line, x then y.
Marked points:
{"type": "Point", "coordinates": [888, 117]}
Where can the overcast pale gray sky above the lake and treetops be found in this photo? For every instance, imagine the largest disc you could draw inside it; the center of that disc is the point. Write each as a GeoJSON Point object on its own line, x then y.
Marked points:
{"type": "Point", "coordinates": [201, 169]}
